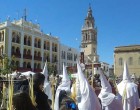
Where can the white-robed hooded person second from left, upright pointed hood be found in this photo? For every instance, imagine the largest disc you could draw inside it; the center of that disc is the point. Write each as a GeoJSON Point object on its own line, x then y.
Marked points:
{"type": "Point", "coordinates": [65, 85]}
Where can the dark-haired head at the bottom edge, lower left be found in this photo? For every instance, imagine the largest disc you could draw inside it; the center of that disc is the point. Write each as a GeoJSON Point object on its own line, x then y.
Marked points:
{"type": "Point", "coordinates": [22, 101]}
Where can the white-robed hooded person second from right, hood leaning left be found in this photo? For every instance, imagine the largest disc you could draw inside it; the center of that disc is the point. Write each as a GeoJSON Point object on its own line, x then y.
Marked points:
{"type": "Point", "coordinates": [108, 100]}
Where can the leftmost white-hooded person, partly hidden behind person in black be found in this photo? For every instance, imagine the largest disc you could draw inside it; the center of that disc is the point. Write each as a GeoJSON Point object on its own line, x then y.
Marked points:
{"type": "Point", "coordinates": [47, 87]}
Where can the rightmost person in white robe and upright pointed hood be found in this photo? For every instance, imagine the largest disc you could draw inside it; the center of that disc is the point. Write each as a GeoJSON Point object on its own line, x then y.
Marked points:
{"type": "Point", "coordinates": [128, 91]}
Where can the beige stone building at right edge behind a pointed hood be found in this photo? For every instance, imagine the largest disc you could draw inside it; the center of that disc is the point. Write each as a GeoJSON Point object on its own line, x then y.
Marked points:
{"type": "Point", "coordinates": [130, 54]}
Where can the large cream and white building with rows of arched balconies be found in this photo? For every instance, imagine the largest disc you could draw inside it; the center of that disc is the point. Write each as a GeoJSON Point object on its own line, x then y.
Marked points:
{"type": "Point", "coordinates": [29, 45]}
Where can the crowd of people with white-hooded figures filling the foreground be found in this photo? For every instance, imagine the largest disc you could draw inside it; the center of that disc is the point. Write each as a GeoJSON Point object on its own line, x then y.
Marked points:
{"type": "Point", "coordinates": [107, 93]}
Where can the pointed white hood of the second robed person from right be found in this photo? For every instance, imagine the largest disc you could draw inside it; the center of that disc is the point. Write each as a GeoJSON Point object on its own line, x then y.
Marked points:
{"type": "Point", "coordinates": [106, 87]}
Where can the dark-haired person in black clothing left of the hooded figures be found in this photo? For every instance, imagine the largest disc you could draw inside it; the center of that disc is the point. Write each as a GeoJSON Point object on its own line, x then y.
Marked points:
{"type": "Point", "coordinates": [41, 97]}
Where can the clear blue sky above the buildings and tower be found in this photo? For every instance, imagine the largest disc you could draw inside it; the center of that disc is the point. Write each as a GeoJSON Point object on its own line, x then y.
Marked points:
{"type": "Point", "coordinates": [118, 21]}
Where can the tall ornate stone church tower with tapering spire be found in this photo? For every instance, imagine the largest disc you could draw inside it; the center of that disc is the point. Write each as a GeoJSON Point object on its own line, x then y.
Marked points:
{"type": "Point", "coordinates": [89, 37]}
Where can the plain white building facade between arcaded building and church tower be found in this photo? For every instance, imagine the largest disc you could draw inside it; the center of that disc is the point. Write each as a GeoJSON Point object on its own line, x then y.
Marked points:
{"type": "Point", "coordinates": [68, 56]}
